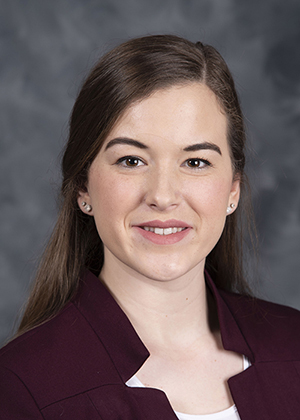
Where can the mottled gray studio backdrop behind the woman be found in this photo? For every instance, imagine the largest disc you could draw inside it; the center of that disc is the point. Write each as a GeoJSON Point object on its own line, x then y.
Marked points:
{"type": "Point", "coordinates": [47, 48]}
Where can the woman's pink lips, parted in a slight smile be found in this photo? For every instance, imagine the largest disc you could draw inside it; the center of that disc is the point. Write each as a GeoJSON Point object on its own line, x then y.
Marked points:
{"type": "Point", "coordinates": [163, 239]}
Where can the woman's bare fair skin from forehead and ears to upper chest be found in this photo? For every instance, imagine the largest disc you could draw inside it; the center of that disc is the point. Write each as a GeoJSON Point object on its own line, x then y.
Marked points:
{"type": "Point", "coordinates": [162, 288]}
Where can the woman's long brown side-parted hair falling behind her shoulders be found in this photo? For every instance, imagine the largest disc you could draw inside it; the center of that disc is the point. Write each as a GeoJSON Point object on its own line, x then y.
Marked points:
{"type": "Point", "coordinates": [128, 73]}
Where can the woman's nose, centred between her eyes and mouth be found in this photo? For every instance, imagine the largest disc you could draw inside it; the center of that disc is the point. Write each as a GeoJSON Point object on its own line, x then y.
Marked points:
{"type": "Point", "coordinates": [162, 191]}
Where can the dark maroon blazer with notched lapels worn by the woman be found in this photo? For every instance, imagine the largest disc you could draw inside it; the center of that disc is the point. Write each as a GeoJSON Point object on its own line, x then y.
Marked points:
{"type": "Point", "coordinates": [74, 367]}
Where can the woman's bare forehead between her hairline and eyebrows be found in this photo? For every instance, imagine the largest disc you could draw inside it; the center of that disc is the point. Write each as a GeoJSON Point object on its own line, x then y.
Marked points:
{"type": "Point", "coordinates": [177, 114]}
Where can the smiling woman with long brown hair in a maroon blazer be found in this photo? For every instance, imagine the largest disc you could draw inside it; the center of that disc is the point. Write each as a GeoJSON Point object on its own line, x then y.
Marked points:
{"type": "Point", "coordinates": [133, 314]}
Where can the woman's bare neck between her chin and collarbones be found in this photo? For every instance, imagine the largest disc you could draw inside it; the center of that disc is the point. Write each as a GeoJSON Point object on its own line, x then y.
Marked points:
{"type": "Point", "coordinates": [164, 313]}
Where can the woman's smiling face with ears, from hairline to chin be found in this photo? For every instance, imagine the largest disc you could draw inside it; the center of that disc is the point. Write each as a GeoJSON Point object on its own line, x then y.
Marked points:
{"type": "Point", "coordinates": [160, 186]}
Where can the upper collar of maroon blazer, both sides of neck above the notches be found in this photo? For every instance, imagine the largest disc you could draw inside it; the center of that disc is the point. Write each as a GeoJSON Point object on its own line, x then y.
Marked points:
{"type": "Point", "coordinates": [120, 339]}
